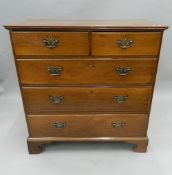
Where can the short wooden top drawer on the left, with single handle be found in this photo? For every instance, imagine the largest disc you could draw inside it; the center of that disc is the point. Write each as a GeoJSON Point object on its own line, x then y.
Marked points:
{"type": "Point", "coordinates": [50, 43]}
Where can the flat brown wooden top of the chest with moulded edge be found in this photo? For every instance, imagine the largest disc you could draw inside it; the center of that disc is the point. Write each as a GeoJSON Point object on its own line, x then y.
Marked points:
{"type": "Point", "coordinates": [52, 24]}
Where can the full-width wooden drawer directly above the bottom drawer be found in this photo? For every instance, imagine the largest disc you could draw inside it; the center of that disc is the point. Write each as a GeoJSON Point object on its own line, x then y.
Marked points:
{"type": "Point", "coordinates": [66, 99]}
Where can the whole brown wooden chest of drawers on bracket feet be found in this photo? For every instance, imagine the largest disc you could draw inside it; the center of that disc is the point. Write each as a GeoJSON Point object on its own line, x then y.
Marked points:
{"type": "Point", "coordinates": [86, 80]}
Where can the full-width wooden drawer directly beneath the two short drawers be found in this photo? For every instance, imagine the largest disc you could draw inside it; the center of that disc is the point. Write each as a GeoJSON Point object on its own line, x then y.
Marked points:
{"type": "Point", "coordinates": [99, 71]}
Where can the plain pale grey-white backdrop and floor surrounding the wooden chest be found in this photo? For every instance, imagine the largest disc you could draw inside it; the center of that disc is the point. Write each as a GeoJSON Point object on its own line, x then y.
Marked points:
{"type": "Point", "coordinates": [84, 158]}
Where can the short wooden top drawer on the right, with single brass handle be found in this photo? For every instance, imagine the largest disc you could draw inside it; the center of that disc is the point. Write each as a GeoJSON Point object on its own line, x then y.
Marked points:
{"type": "Point", "coordinates": [126, 43]}
